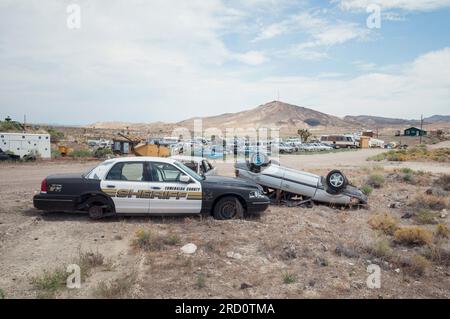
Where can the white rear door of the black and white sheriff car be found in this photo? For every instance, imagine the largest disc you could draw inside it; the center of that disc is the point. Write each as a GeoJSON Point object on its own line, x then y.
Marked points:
{"type": "Point", "coordinates": [127, 183]}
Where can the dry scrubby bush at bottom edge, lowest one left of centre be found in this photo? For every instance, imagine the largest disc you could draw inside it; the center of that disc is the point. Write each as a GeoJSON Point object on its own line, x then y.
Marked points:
{"type": "Point", "coordinates": [118, 288]}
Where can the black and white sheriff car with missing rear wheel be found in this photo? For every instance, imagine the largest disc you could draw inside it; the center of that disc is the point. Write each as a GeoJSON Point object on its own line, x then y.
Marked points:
{"type": "Point", "coordinates": [149, 185]}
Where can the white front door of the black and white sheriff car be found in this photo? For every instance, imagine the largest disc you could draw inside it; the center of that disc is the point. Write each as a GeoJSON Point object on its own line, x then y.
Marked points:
{"type": "Point", "coordinates": [169, 194]}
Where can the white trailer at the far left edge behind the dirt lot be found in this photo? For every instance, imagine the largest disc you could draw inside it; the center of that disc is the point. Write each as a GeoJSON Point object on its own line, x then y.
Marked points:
{"type": "Point", "coordinates": [25, 143]}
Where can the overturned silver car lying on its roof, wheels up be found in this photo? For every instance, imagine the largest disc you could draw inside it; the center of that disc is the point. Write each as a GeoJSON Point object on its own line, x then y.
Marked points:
{"type": "Point", "coordinates": [286, 184]}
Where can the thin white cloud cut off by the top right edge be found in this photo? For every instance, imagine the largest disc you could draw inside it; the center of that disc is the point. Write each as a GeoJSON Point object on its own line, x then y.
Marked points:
{"type": "Point", "coordinates": [408, 5]}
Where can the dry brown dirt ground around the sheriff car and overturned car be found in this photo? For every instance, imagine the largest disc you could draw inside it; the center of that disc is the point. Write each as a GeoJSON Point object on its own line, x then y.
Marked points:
{"type": "Point", "coordinates": [288, 252]}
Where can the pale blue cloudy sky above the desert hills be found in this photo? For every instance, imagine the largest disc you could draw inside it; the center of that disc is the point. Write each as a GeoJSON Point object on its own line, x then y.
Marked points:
{"type": "Point", "coordinates": [147, 61]}
